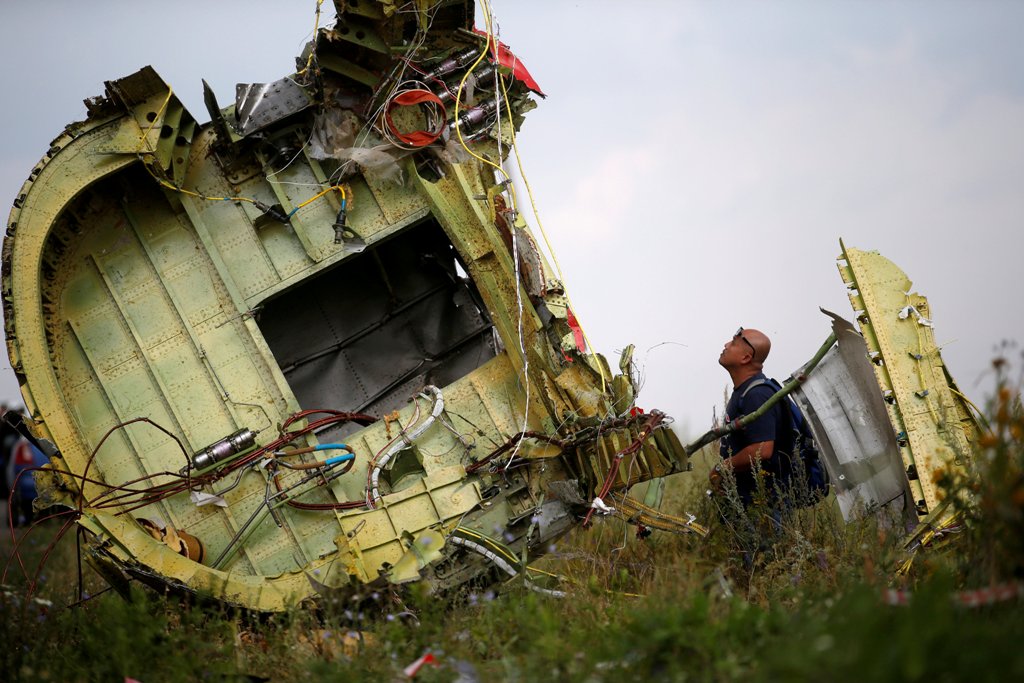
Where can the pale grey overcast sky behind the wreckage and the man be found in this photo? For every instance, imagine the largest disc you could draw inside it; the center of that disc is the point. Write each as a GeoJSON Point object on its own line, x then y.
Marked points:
{"type": "Point", "coordinates": [696, 164]}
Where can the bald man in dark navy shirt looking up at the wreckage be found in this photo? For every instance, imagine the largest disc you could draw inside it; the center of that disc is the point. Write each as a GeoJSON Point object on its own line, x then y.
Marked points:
{"type": "Point", "coordinates": [769, 440]}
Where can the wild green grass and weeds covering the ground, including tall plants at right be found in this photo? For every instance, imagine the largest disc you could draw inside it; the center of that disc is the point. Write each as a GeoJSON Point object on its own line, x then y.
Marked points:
{"type": "Point", "coordinates": [804, 605]}
